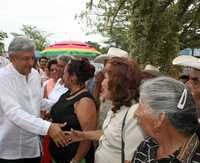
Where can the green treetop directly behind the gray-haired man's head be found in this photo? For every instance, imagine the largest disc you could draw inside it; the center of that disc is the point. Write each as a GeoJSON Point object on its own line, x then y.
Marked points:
{"type": "Point", "coordinates": [40, 37]}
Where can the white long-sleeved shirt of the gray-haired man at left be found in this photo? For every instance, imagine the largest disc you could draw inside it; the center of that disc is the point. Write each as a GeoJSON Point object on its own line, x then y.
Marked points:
{"type": "Point", "coordinates": [20, 103]}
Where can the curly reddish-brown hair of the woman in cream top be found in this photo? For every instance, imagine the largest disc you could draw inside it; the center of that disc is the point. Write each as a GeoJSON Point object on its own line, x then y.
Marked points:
{"type": "Point", "coordinates": [124, 80]}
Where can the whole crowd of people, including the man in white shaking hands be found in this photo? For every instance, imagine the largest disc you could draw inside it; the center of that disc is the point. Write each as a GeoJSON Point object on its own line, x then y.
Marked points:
{"type": "Point", "coordinates": [61, 111]}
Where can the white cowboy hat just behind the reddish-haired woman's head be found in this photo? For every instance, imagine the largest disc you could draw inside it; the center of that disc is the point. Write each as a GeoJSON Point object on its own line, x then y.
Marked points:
{"type": "Point", "coordinates": [112, 52]}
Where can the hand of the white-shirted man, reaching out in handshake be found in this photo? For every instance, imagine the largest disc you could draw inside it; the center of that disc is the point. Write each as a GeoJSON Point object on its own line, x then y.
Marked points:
{"type": "Point", "coordinates": [56, 133]}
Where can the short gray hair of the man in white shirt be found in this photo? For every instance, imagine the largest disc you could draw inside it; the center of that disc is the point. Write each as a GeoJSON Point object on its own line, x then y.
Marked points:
{"type": "Point", "coordinates": [19, 44]}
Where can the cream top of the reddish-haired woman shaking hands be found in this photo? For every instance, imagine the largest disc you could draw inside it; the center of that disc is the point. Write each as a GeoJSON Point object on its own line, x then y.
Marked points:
{"type": "Point", "coordinates": [109, 149]}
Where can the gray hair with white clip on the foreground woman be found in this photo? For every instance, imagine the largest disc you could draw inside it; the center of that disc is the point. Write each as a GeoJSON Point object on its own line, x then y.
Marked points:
{"type": "Point", "coordinates": [164, 94]}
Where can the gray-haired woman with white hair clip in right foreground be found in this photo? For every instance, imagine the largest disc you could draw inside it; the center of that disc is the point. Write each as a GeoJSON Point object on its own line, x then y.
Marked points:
{"type": "Point", "coordinates": [167, 113]}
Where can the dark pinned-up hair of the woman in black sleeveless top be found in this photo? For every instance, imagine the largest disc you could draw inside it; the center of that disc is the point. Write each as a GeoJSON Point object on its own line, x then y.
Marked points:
{"type": "Point", "coordinates": [82, 69]}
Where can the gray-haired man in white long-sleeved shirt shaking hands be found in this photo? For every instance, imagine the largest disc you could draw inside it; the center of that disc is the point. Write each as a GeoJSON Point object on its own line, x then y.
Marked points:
{"type": "Point", "coordinates": [20, 103]}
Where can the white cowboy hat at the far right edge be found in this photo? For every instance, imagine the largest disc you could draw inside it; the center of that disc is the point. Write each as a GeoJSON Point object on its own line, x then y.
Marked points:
{"type": "Point", "coordinates": [187, 61]}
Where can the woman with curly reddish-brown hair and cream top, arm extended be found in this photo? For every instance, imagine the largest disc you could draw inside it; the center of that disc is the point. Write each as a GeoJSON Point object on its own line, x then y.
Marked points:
{"type": "Point", "coordinates": [120, 86]}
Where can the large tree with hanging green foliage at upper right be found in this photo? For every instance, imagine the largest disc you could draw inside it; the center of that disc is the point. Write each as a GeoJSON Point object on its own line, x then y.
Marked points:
{"type": "Point", "coordinates": [153, 31]}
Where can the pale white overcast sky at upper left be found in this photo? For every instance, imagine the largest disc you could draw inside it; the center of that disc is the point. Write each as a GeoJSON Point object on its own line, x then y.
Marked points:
{"type": "Point", "coordinates": [52, 16]}
